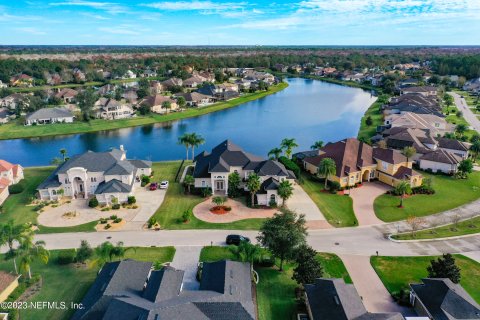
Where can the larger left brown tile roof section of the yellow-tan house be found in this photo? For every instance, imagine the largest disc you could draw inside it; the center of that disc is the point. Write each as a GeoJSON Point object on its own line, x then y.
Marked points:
{"type": "Point", "coordinates": [349, 156]}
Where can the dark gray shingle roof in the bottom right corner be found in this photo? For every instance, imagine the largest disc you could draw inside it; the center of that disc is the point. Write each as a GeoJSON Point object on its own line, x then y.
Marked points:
{"type": "Point", "coordinates": [445, 300]}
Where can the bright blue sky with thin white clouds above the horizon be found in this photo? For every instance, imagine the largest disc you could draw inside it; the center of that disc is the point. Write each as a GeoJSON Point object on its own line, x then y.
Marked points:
{"type": "Point", "coordinates": [243, 22]}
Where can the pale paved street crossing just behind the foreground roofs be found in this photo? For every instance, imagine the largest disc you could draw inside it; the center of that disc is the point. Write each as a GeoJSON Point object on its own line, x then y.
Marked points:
{"type": "Point", "coordinates": [353, 241]}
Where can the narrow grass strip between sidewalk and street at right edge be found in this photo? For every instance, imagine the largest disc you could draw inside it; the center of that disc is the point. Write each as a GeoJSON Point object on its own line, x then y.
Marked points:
{"type": "Point", "coordinates": [470, 226]}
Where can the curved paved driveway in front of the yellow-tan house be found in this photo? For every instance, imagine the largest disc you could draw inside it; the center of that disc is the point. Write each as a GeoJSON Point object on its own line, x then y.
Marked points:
{"type": "Point", "coordinates": [363, 198]}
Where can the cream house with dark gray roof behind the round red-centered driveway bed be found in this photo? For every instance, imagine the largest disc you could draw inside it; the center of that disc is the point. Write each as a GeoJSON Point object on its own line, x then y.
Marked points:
{"type": "Point", "coordinates": [212, 171]}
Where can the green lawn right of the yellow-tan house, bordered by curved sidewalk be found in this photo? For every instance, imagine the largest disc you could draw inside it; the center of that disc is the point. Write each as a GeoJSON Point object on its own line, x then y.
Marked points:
{"type": "Point", "coordinates": [449, 193]}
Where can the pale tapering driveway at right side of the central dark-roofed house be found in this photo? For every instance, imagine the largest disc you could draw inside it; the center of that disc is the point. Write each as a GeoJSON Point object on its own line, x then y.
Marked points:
{"type": "Point", "coordinates": [301, 203]}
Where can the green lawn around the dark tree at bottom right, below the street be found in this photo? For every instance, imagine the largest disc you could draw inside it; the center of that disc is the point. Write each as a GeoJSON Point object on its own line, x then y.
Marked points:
{"type": "Point", "coordinates": [397, 273]}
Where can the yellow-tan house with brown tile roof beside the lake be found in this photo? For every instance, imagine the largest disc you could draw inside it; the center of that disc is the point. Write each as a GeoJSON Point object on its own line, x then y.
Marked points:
{"type": "Point", "coordinates": [357, 162]}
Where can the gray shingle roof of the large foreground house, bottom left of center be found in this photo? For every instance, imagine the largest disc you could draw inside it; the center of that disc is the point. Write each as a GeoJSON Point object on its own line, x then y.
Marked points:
{"type": "Point", "coordinates": [162, 297]}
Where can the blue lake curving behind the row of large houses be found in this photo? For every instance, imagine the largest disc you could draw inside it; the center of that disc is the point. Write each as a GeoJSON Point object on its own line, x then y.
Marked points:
{"type": "Point", "coordinates": [308, 110]}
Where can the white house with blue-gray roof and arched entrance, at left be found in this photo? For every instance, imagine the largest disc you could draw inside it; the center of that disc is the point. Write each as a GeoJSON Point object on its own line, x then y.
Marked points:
{"type": "Point", "coordinates": [105, 175]}
